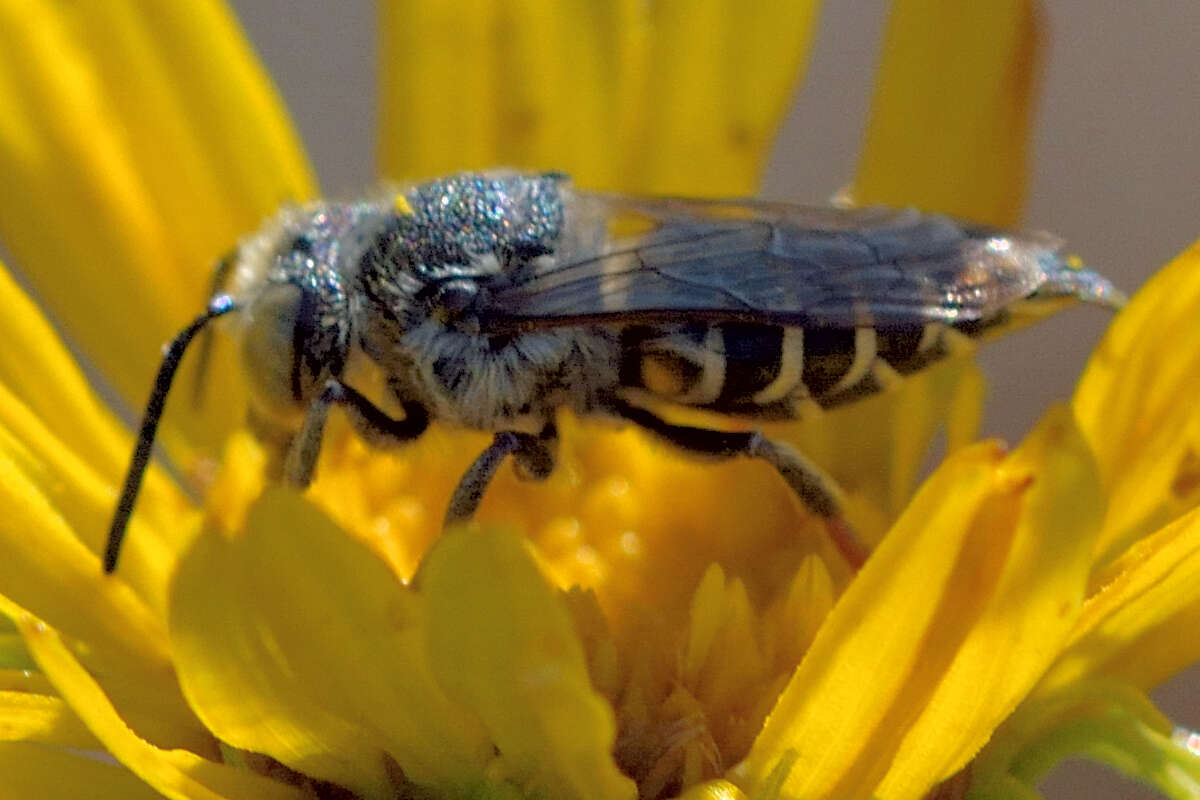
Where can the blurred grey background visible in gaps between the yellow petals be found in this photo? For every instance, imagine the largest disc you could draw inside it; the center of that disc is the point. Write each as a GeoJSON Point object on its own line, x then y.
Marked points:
{"type": "Point", "coordinates": [1117, 172]}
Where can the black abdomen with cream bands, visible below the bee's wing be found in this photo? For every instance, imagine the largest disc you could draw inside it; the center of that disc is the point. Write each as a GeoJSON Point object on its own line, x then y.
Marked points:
{"type": "Point", "coordinates": [771, 371]}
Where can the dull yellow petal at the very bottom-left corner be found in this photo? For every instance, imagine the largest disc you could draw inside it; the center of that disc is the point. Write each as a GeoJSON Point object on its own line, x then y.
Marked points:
{"type": "Point", "coordinates": [35, 772]}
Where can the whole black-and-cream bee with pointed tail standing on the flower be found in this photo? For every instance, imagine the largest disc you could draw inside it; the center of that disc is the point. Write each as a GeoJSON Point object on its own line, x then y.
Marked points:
{"type": "Point", "coordinates": [493, 300]}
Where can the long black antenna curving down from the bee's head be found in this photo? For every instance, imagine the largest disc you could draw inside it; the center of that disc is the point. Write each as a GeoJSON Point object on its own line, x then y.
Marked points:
{"type": "Point", "coordinates": [219, 306]}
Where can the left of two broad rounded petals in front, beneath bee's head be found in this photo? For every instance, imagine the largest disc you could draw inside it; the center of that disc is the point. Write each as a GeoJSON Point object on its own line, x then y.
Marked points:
{"type": "Point", "coordinates": [295, 641]}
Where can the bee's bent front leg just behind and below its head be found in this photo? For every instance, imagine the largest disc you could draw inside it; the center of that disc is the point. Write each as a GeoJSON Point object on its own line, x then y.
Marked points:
{"type": "Point", "coordinates": [376, 428]}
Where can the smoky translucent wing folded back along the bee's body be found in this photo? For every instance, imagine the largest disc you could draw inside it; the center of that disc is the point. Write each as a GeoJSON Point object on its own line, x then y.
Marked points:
{"type": "Point", "coordinates": [625, 258]}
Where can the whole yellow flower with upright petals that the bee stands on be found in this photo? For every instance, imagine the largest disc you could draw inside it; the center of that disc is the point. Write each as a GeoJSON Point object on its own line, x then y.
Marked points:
{"type": "Point", "coordinates": [639, 625]}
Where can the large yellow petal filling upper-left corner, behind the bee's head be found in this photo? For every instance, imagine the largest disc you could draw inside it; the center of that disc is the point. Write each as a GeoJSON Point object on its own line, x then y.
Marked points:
{"type": "Point", "coordinates": [136, 146]}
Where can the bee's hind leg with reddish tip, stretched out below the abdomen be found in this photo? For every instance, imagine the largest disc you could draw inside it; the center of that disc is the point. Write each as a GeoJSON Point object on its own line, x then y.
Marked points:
{"type": "Point", "coordinates": [815, 490]}
